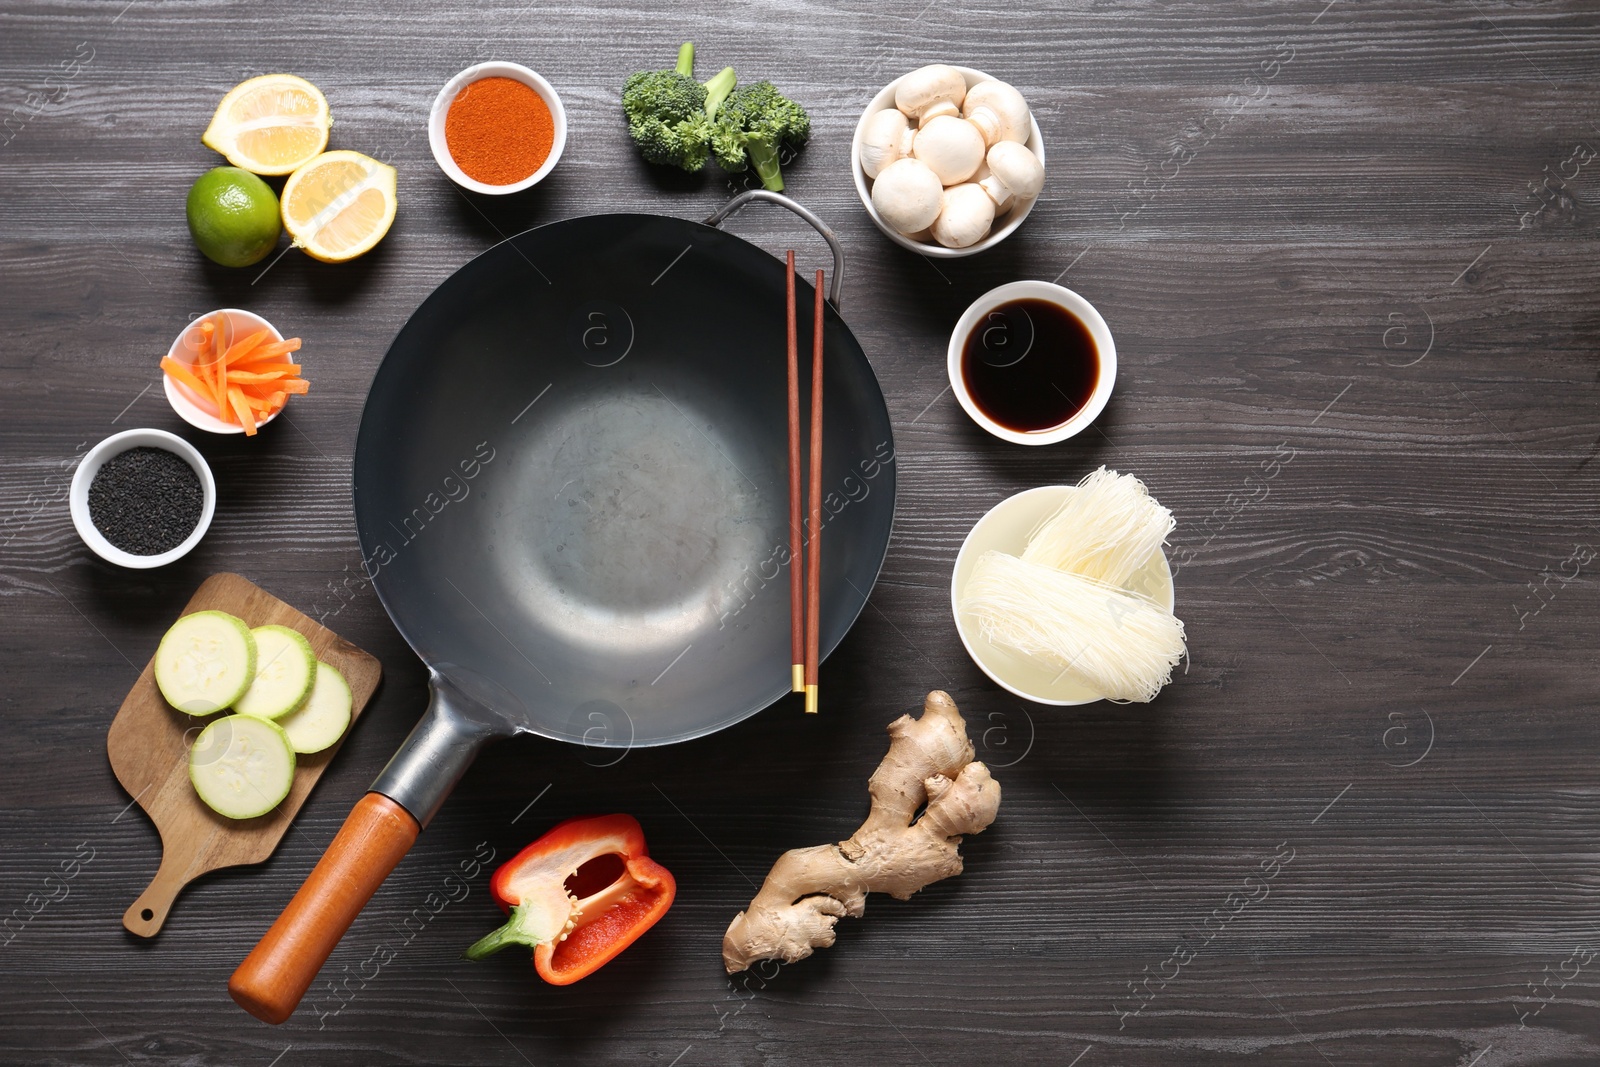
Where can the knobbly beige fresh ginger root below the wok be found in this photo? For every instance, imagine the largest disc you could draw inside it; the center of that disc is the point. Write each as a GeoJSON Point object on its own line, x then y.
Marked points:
{"type": "Point", "coordinates": [930, 762]}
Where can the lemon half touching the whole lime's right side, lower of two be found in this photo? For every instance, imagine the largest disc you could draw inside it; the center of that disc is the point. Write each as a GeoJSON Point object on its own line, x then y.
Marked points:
{"type": "Point", "coordinates": [340, 206]}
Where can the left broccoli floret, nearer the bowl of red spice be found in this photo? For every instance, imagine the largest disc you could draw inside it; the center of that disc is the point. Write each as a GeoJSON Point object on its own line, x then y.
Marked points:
{"type": "Point", "coordinates": [670, 114]}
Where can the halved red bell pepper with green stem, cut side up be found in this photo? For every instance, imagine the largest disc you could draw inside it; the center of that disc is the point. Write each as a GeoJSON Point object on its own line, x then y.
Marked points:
{"type": "Point", "coordinates": [578, 925]}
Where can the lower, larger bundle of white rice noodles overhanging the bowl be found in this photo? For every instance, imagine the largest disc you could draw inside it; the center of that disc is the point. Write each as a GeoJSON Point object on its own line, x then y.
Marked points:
{"type": "Point", "coordinates": [1119, 644]}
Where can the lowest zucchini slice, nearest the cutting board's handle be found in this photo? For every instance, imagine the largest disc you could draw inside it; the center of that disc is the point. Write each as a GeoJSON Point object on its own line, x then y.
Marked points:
{"type": "Point", "coordinates": [242, 767]}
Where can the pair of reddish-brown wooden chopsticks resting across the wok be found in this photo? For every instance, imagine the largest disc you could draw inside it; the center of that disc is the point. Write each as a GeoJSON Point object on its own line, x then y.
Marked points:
{"type": "Point", "coordinates": [806, 589]}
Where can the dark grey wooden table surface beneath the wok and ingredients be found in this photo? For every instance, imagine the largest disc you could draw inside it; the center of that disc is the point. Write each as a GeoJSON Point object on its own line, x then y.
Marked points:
{"type": "Point", "coordinates": [1351, 254]}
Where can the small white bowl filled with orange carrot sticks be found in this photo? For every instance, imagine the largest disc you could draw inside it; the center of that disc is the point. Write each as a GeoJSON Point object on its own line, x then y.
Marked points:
{"type": "Point", "coordinates": [231, 372]}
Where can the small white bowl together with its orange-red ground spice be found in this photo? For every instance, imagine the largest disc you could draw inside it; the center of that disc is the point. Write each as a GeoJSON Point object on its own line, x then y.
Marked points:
{"type": "Point", "coordinates": [497, 129]}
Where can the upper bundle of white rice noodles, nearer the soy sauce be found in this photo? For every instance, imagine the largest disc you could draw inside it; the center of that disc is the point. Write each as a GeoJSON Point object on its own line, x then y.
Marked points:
{"type": "Point", "coordinates": [1108, 529]}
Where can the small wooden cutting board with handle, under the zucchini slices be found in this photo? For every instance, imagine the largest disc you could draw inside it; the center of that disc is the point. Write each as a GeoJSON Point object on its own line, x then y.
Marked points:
{"type": "Point", "coordinates": [150, 754]}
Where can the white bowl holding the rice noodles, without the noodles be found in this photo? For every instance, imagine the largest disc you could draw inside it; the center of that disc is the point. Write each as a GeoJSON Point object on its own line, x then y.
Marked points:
{"type": "Point", "coordinates": [1007, 529]}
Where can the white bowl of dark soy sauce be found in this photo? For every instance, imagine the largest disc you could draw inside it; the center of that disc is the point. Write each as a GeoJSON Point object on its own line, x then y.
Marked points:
{"type": "Point", "coordinates": [1033, 362]}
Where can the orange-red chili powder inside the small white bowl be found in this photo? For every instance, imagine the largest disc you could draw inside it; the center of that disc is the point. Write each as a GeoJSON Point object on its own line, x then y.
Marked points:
{"type": "Point", "coordinates": [500, 130]}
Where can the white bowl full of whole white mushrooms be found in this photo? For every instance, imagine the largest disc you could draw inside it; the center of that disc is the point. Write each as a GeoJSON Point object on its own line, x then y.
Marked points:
{"type": "Point", "coordinates": [948, 161]}
